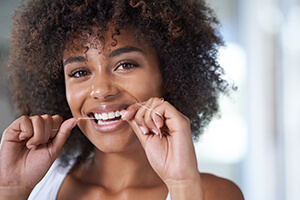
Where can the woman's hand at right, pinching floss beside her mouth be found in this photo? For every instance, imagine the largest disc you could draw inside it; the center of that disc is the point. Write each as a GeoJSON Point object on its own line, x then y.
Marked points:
{"type": "Point", "coordinates": [171, 154]}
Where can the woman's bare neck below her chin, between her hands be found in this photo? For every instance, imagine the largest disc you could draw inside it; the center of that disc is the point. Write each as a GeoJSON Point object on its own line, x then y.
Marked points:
{"type": "Point", "coordinates": [118, 171]}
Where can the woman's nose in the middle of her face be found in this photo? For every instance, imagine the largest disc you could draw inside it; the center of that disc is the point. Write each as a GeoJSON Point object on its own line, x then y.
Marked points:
{"type": "Point", "coordinates": [103, 87]}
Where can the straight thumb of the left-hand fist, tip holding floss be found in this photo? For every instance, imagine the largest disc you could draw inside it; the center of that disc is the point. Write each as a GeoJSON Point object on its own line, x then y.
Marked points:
{"type": "Point", "coordinates": [62, 136]}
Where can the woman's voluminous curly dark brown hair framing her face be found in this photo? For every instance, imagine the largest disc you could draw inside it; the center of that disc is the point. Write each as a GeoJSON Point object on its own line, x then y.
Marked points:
{"type": "Point", "coordinates": [183, 33]}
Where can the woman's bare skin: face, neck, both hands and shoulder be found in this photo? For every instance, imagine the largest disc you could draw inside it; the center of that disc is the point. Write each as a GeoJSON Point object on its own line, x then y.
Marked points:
{"type": "Point", "coordinates": [131, 161]}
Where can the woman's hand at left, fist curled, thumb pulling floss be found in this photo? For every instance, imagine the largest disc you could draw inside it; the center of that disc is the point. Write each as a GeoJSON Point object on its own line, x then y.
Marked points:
{"type": "Point", "coordinates": [28, 148]}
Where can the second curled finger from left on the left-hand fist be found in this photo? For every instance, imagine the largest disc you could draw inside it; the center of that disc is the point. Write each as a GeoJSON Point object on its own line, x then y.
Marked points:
{"type": "Point", "coordinates": [38, 131]}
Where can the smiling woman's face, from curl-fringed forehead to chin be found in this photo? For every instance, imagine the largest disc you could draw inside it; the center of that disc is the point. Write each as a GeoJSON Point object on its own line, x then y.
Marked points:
{"type": "Point", "coordinates": [106, 79]}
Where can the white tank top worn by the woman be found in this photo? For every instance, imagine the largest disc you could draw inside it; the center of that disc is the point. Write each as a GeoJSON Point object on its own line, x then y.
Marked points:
{"type": "Point", "coordinates": [48, 187]}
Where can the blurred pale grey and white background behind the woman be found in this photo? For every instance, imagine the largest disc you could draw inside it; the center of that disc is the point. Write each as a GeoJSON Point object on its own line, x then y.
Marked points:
{"type": "Point", "coordinates": [256, 142]}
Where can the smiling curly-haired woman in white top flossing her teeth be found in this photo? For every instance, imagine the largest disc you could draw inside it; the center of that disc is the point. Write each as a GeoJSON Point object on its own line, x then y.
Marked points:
{"type": "Point", "coordinates": [139, 79]}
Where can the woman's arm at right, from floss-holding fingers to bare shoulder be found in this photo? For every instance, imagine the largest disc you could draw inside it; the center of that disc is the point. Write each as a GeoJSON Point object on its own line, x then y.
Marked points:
{"type": "Point", "coordinates": [173, 156]}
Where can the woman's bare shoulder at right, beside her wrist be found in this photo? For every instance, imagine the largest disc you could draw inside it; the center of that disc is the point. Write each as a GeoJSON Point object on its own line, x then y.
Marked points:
{"type": "Point", "coordinates": [220, 188]}
